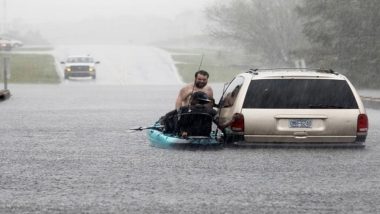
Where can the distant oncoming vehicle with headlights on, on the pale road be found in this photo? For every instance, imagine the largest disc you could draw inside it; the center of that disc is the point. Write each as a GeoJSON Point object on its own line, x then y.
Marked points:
{"type": "Point", "coordinates": [80, 66]}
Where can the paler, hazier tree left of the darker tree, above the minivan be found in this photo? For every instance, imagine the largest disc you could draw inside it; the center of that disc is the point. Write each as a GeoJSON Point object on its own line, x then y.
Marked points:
{"type": "Point", "coordinates": [268, 28]}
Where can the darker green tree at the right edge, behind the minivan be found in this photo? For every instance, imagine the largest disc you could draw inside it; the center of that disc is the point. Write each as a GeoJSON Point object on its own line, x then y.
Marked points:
{"type": "Point", "coordinates": [344, 34]}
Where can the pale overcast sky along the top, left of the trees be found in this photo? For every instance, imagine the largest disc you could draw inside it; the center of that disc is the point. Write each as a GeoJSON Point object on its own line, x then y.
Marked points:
{"type": "Point", "coordinates": [52, 10]}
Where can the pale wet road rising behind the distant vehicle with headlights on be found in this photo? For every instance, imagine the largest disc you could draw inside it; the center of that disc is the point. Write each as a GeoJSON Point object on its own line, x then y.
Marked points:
{"type": "Point", "coordinates": [126, 64]}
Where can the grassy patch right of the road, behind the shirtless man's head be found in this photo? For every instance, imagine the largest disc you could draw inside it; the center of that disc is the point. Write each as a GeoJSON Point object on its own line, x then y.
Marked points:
{"type": "Point", "coordinates": [222, 66]}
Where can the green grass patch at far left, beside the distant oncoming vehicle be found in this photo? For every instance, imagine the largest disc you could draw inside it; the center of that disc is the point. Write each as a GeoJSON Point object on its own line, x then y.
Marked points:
{"type": "Point", "coordinates": [31, 68]}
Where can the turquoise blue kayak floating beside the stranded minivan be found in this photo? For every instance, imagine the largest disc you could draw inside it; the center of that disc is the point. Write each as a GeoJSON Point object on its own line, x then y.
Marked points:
{"type": "Point", "coordinates": [164, 140]}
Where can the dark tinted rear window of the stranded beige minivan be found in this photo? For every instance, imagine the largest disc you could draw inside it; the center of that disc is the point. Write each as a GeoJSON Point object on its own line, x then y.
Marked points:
{"type": "Point", "coordinates": [299, 94]}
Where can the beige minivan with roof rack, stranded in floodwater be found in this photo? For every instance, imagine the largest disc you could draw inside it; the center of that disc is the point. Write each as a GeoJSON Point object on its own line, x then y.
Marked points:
{"type": "Point", "coordinates": [293, 106]}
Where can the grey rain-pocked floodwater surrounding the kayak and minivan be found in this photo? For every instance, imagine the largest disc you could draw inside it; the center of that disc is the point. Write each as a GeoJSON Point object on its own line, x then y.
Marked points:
{"type": "Point", "coordinates": [66, 149]}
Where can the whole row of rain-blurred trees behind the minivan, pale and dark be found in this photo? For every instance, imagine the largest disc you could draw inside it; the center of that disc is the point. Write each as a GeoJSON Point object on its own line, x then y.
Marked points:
{"type": "Point", "coordinates": [340, 34]}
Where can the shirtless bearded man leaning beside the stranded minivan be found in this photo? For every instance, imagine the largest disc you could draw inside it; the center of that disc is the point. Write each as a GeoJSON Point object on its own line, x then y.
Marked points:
{"type": "Point", "coordinates": [199, 84]}
